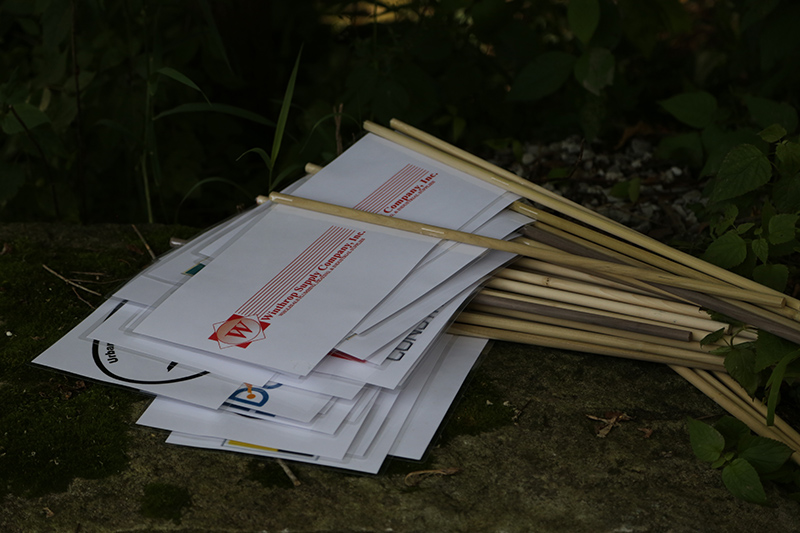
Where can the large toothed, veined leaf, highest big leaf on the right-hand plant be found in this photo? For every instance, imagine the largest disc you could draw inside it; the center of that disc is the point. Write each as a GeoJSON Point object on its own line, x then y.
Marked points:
{"type": "Point", "coordinates": [744, 169]}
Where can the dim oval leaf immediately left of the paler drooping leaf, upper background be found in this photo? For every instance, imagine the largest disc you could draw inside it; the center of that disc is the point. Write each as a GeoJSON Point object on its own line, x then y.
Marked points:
{"type": "Point", "coordinates": [542, 76]}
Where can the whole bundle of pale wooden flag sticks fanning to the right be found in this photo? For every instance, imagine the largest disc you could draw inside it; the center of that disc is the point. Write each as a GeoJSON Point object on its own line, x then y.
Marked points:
{"type": "Point", "coordinates": [583, 282]}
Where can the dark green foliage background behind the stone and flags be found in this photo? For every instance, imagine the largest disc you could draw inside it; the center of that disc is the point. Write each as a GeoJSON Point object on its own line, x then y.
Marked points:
{"type": "Point", "coordinates": [141, 110]}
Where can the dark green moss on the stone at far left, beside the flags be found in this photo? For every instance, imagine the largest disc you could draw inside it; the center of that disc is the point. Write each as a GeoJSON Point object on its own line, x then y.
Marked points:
{"type": "Point", "coordinates": [54, 428]}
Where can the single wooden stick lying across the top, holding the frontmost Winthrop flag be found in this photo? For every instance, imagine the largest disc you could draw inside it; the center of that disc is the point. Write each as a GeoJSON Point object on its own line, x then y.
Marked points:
{"type": "Point", "coordinates": [527, 251]}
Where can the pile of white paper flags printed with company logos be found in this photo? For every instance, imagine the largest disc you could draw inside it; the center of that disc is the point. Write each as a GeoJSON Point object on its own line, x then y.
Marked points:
{"type": "Point", "coordinates": [297, 335]}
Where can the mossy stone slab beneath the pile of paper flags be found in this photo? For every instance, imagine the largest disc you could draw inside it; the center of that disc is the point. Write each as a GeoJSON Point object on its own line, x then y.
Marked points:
{"type": "Point", "coordinates": [524, 454]}
